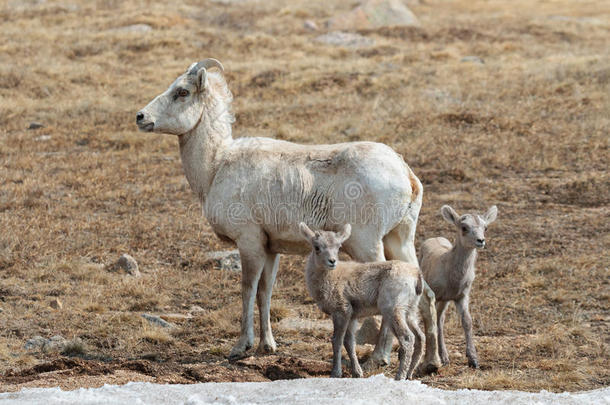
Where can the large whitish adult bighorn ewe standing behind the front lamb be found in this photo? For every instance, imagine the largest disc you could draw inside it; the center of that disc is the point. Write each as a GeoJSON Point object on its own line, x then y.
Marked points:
{"type": "Point", "coordinates": [255, 192]}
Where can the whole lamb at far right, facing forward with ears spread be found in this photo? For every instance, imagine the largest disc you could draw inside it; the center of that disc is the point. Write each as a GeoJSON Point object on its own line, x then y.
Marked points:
{"type": "Point", "coordinates": [449, 271]}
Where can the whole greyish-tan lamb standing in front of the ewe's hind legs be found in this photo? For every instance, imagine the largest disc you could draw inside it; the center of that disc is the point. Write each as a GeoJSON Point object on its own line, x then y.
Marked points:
{"type": "Point", "coordinates": [350, 290]}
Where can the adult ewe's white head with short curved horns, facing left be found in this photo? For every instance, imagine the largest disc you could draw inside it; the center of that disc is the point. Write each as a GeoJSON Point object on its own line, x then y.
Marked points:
{"type": "Point", "coordinates": [179, 109]}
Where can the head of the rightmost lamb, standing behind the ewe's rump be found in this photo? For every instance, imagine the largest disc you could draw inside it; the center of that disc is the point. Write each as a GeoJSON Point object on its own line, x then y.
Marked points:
{"type": "Point", "coordinates": [471, 227]}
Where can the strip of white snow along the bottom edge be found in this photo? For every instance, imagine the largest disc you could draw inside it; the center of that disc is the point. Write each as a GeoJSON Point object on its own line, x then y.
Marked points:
{"type": "Point", "coordinates": [316, 391]}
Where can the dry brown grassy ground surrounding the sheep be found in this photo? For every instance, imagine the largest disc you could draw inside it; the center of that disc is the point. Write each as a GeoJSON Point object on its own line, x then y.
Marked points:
{"type": "Point", "coordinates": [525, 126]}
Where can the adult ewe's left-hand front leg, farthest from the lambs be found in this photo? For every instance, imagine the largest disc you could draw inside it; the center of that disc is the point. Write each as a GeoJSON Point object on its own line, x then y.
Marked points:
{"type": "Point", "coordinates": [252, 262]}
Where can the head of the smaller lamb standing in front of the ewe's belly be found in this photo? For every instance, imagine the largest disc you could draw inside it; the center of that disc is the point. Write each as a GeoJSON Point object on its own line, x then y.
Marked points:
{"type": "Point", "coordinates": [325, 245]}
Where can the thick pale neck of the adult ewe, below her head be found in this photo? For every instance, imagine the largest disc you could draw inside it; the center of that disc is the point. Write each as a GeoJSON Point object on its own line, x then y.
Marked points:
{"type": "Point", "coordinates": [201, 150]}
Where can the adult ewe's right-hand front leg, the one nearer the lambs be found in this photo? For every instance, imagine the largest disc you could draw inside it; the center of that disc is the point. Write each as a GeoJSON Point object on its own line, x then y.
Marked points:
{"type": "Point", "coordinates": [263, 298]}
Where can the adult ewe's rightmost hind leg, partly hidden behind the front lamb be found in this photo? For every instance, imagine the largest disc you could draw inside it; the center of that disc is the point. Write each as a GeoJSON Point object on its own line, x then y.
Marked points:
{"type": "Point", "coordinates": [399, 245]}
